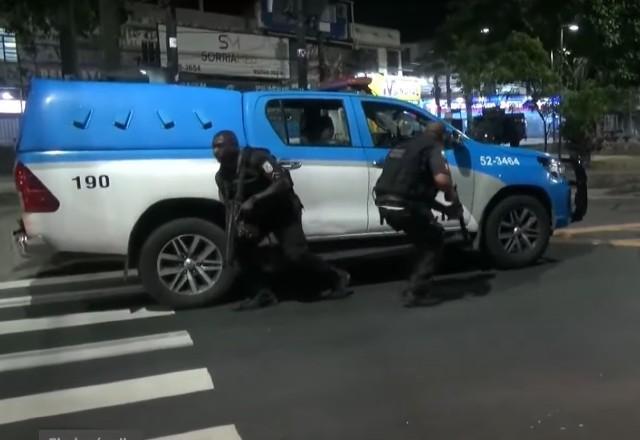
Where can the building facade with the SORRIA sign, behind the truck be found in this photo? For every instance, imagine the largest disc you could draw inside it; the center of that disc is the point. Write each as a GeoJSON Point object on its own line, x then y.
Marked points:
{"type": "Point", "coordinates": [255, 51]}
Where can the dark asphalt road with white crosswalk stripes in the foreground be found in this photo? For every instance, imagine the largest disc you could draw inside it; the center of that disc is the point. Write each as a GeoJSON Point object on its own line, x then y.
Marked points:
{"type": "Point", "coordinates": [541, 353]}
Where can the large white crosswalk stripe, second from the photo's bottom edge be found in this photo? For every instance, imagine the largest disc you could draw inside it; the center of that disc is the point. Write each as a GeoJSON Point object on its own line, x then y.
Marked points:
{"type": "Point", "coordinates": [54, 403]}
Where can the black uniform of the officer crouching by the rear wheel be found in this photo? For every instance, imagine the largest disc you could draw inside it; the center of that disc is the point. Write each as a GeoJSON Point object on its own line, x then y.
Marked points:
{"type": "Point", "coordinates": [280, 215]}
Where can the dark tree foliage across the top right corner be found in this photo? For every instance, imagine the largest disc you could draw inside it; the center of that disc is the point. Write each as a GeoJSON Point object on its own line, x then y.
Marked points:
{"type": "Point", "coordinates": [609, 35]}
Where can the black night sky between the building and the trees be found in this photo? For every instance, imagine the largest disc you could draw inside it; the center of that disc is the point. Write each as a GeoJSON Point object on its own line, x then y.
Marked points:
{"type": "Point", "coordinates": [415, 19]}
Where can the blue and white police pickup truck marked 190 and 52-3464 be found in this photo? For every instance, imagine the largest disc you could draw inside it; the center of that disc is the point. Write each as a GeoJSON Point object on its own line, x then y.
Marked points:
{"type": "Point", "coordinates": [126, 169]}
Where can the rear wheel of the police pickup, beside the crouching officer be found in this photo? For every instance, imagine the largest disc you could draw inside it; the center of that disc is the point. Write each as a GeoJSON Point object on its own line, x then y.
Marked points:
{"type": "Point", "coordinates": [182, 233]}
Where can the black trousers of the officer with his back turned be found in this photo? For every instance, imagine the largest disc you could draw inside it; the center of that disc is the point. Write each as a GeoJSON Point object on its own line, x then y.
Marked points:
{"type": "Point", "coordinates": [428, 238]}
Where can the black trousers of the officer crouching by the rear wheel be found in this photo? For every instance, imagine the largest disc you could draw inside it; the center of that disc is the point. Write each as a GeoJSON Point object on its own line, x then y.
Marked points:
{"type": "Point", "coordinates": [294, 249]}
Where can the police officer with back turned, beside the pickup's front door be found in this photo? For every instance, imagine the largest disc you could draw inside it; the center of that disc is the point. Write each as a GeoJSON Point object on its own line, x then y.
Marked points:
{"type": "Point", "coordinates": [413, 173]}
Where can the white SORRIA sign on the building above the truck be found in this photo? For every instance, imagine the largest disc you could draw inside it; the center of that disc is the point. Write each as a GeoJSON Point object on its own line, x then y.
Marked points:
{"type": "Point", "coordinates": [209, 52]}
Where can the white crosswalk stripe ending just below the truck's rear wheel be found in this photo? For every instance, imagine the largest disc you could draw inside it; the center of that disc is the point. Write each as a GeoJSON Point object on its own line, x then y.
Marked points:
{"type": "Point", "coordinates": [76, 320]}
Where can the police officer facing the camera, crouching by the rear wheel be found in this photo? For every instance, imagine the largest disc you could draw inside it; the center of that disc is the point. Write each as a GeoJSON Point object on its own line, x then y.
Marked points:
{"type": "Point", "coordinates": [269, 206]}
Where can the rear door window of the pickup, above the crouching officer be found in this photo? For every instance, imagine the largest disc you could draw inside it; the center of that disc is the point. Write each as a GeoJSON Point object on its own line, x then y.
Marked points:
{"type": "Point", "coordinates": [310, 122]}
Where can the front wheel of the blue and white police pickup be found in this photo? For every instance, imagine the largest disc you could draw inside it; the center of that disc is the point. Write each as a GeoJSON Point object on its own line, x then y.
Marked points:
{"type": "Point", "coordinates": [519, 252]}
